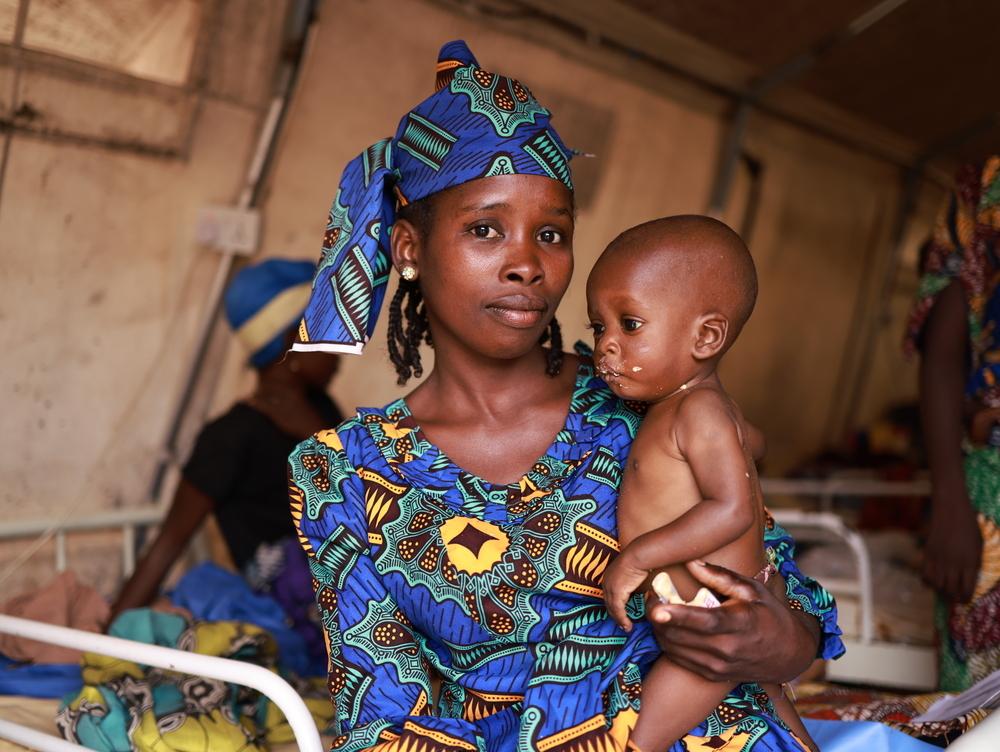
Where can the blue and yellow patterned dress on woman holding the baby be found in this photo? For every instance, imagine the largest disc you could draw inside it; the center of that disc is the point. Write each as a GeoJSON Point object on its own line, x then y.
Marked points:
{"type": "Point", "coordinates": [420, 567]}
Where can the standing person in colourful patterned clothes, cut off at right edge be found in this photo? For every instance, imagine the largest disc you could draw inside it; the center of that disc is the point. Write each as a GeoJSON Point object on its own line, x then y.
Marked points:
{"type": "Point", "coordinates": [956, 326]}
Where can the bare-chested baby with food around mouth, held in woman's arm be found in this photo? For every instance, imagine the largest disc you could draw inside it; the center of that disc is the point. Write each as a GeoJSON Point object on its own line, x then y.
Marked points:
{"type": "Point", "coordinates": [666, 300]}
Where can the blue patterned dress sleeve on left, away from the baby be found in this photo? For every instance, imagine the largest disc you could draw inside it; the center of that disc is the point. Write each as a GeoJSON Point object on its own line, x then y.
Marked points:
{"type": "Point", "coordinates": [378, 674]}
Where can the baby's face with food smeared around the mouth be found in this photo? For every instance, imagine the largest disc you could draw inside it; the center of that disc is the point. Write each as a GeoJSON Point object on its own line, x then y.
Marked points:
{"type": "Point", "coordinates": [643, 329]}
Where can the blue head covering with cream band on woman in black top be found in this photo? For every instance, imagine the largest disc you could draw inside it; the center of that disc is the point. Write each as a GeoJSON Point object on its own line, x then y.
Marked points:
{"type": "Point", "coordinates": [264, 301]}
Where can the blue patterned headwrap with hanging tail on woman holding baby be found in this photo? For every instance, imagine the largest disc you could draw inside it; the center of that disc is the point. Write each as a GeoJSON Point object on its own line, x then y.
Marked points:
{"type": "Point", "coordinates": [477, 124]}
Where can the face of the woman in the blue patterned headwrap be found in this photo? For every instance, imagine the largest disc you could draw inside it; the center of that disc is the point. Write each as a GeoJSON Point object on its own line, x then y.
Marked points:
{"type": "Point", "coordinates": [495, 262]}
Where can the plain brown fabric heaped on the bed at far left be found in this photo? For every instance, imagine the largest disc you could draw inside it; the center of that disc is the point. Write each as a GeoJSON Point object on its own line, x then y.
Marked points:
{"type": "Point", "coordinates": [64, 602]}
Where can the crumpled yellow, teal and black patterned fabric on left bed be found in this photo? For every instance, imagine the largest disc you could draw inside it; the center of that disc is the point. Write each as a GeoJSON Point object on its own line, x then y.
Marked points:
{"type": "Point", "coordinates": [126, 706]}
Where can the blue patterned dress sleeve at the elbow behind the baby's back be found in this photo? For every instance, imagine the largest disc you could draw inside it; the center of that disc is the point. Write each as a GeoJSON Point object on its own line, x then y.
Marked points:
{"type": "Point", "coordinates": [803, 592]}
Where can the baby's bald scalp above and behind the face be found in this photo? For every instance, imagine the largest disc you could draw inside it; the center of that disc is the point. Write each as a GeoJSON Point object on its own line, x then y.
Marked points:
{"type": "Point", "coordinates": [698, 255]}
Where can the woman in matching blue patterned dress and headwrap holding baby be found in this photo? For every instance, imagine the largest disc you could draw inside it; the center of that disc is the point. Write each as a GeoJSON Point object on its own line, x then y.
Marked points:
{"type": "Point", "coordinates": [463, 531]}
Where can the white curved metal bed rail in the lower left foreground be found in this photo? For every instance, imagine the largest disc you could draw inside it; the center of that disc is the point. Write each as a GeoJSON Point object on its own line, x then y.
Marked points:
{"type": "Point", "coordinates": [257, 677]}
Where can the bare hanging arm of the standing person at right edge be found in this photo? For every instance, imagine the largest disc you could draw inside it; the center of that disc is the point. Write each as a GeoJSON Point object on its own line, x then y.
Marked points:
{"type": "Point", "coordinates": [954, 546]}
